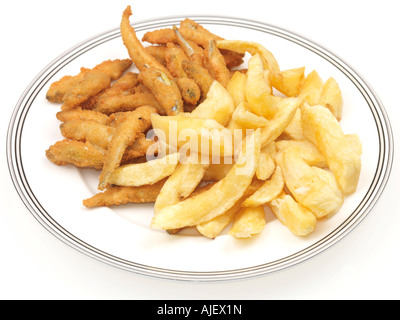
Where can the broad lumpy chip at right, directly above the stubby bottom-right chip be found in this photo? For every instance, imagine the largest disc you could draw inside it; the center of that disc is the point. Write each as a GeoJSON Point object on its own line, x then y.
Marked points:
{"type": "Point", "coordinates": [313, 187]}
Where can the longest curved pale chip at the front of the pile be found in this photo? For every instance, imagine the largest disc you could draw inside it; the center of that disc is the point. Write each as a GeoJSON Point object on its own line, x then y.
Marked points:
{"type": "Point", "coordinates": [219, 198]}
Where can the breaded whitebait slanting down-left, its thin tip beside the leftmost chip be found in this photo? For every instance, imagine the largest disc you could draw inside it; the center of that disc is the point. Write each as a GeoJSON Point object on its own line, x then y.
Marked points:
{"type": "Point", "coordinates": [135, 123]}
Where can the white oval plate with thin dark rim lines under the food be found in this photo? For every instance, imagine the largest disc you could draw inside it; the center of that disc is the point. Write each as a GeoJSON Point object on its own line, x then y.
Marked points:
{"type": "Point", "coordinates": [121, 236]}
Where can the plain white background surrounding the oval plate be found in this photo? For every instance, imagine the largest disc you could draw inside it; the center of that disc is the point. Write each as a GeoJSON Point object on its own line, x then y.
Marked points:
{"type": "Point", "coordinates": [36, 265]}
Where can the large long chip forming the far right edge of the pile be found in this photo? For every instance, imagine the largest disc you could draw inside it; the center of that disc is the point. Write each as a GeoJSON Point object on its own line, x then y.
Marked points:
{"type": "Point", "coordinates": [322, 128]}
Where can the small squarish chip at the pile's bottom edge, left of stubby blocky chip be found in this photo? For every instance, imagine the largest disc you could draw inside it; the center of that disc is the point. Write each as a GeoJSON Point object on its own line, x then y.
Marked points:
{"type": "Point", "coordinates": [248, 222]}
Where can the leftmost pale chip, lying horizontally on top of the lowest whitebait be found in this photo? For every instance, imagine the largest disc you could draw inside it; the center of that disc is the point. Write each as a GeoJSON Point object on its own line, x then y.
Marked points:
{"type": "Point", "coordinates": [139, 174]}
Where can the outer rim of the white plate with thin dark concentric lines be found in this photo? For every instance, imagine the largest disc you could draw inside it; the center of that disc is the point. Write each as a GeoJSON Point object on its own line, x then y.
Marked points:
{"type": "Point", "coordinates": [27, 196]}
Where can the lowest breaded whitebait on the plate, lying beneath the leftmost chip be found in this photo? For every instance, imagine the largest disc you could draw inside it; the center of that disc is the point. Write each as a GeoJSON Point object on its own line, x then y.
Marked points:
{"type": "Point", "coordinates": [118, 195]}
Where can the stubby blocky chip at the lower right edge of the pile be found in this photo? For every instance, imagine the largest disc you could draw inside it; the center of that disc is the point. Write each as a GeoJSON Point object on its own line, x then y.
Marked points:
{"type": "Point", "coordinates": [297, 218]}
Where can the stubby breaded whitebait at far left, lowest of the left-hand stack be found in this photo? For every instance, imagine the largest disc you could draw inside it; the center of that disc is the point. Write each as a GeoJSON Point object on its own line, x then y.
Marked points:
{"type": "Point", "coordinates": [78, 153]}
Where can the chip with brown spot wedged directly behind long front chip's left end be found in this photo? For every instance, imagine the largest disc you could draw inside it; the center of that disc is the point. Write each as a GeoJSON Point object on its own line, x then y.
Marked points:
{"type": "Point", "coordinates": [180, 184]}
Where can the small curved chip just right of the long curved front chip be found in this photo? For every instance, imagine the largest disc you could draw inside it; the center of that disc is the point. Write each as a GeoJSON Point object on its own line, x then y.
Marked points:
{"type": "Point", "coordinates": [268, 191]}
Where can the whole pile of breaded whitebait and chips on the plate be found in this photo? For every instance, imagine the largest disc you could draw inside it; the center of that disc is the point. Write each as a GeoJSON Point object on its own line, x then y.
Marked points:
{"type": "Point", "coordinates": [210, 131]}
